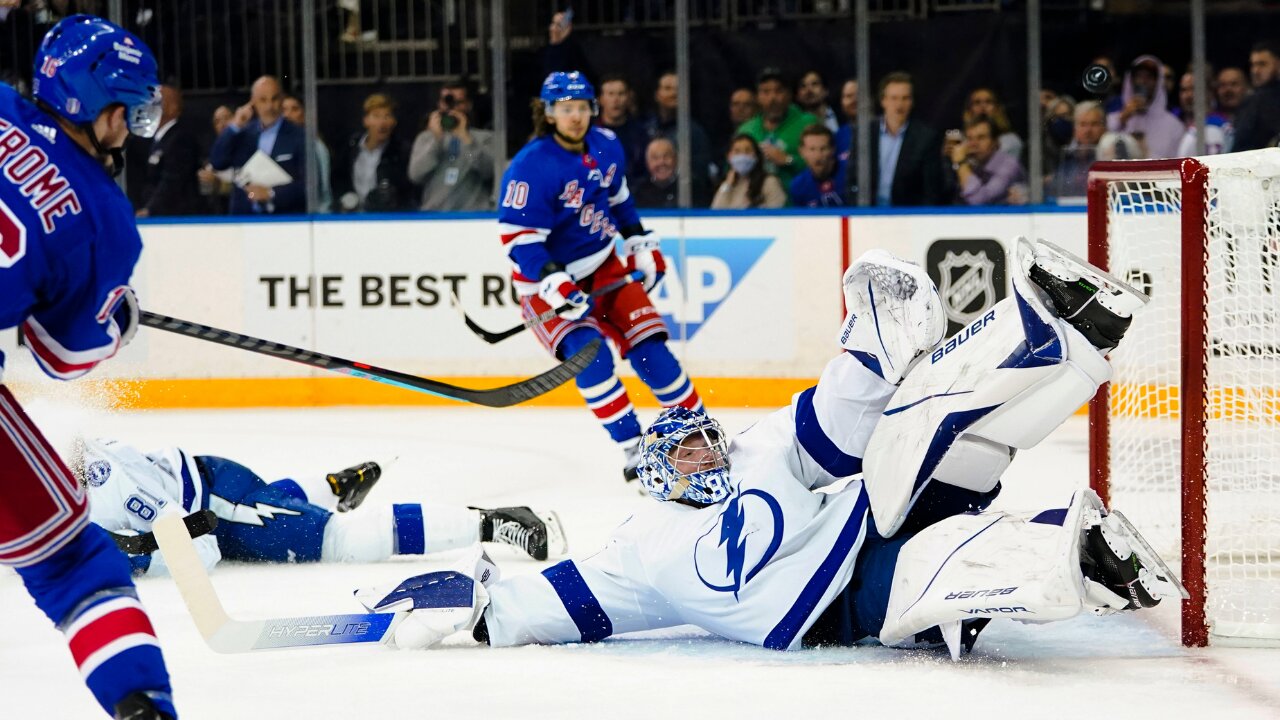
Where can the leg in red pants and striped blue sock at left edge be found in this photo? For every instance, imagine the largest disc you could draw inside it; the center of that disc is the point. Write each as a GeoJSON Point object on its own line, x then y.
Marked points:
{"type": "Point", "coordinates": [76, 576]}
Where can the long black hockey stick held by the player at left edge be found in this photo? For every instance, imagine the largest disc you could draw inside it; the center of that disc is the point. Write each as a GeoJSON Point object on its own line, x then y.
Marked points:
{"type": "Point", "coordinates": [495, 398]}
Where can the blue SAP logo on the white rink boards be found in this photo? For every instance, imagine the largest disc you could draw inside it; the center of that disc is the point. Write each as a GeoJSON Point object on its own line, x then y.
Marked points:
{"type": "Point", "coordinates": [701, 276]}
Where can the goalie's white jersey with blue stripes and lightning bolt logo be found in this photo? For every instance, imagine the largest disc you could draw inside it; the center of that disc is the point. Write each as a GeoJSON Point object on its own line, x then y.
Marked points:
{"type": "Point", "coordinates": [758, 568]}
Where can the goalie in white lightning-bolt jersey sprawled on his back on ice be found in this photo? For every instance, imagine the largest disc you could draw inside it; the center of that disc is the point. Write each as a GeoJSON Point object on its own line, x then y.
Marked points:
{"type": "Point", "coordinates": [742, 546]}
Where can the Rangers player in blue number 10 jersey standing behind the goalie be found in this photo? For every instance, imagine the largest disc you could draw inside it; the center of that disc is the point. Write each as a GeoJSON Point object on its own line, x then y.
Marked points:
{"type": "Point", "coordinates": [565, 206]}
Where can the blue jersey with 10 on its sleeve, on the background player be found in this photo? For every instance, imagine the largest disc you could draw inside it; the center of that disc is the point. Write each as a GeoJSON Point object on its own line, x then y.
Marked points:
{"type": "Point", "coordinates": [563, 207]}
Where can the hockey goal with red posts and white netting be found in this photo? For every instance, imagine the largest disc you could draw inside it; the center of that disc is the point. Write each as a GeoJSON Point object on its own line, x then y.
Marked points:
{"type": "Point", "coordinates": [1186, 439]}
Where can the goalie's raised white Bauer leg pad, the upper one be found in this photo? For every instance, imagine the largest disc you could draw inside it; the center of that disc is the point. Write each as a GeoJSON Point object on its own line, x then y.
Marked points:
{"type": "Point", "coordinates": [1004, 382]}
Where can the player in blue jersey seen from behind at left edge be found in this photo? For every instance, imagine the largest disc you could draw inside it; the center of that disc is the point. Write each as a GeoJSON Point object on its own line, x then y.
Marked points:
{"type": "Point", "coordinates": [68, 245]}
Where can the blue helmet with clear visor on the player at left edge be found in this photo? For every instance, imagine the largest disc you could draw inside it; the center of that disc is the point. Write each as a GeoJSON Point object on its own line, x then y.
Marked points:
{"type": "Point", "coordinates": [86, 65]}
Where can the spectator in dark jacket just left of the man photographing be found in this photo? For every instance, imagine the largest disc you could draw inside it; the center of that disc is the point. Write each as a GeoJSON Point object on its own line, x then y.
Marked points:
{"type": "Point", "coordinates": [372, 174]}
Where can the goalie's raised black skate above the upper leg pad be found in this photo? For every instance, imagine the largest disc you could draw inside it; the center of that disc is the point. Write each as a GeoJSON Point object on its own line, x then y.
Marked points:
{"type": "Point", "coordinates": [1096, 303]}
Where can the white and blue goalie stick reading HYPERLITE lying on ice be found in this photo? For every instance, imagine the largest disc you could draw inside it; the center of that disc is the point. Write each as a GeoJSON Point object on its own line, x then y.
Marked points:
{"type": "Point", "coordinates": [227, 635]}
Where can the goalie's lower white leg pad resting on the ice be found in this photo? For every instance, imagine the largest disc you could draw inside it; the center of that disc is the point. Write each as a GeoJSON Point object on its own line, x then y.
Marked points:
{"type": "Point", "coordinates": [1026, 567]}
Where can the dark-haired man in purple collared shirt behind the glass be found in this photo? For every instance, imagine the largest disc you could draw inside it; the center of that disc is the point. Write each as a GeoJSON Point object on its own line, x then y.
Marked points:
{"type": "Point", "coordinates": [985, 175]}
